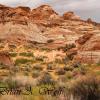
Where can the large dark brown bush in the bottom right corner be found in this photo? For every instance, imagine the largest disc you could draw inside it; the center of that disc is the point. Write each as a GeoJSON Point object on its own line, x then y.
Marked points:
{"type": "Point", "coordinates": [87, 88]}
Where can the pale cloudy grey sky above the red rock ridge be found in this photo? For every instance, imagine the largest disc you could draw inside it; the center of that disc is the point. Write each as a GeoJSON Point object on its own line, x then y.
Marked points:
{"type": "Point", "coordinates": [84, 8]}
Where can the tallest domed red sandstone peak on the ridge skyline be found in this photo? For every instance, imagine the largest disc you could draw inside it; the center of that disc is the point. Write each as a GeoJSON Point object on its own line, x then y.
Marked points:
{"type": "Point", "coordinates": [44, 12]}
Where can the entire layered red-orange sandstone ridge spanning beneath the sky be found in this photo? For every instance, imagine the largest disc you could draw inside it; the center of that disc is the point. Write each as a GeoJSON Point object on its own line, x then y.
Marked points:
{"type": "Point", "coordinates": [21, 25]}
